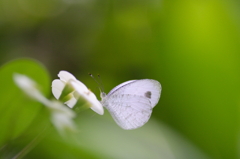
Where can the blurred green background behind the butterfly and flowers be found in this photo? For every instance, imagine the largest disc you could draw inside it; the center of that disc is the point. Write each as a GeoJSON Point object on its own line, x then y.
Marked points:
{"type": "Point", "coordinates": [191, 47]}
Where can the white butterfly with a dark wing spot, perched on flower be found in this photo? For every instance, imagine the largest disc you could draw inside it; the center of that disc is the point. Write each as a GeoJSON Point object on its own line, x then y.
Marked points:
{"type": "Point", "coordinates": [131, 102]}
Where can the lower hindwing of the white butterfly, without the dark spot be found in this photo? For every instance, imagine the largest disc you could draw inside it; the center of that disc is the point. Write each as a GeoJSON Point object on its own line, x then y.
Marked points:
{"type": "Point", "coordinates": [129, 111]}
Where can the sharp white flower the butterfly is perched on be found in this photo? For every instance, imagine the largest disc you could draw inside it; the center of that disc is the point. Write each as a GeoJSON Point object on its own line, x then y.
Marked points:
{"type": "Point", "coordinates": [79, 90]}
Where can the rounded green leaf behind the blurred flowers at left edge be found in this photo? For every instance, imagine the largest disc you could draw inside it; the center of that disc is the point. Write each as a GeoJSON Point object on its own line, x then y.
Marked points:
{"type": "Point", "coordinates": [17, 111]}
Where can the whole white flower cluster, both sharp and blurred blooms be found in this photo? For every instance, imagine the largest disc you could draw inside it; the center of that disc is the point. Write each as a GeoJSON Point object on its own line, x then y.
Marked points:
{"type": "Point", "coordinates": [67, 89]}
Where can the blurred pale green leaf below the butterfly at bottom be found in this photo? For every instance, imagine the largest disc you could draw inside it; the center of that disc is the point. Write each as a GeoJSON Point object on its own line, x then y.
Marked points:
{"type": "Point", "coordinates": [100, 137]}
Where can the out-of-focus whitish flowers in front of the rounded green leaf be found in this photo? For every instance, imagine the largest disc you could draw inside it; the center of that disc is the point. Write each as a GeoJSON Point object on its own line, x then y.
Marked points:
{"type": "Point", "coordinates": [61, 116]}
